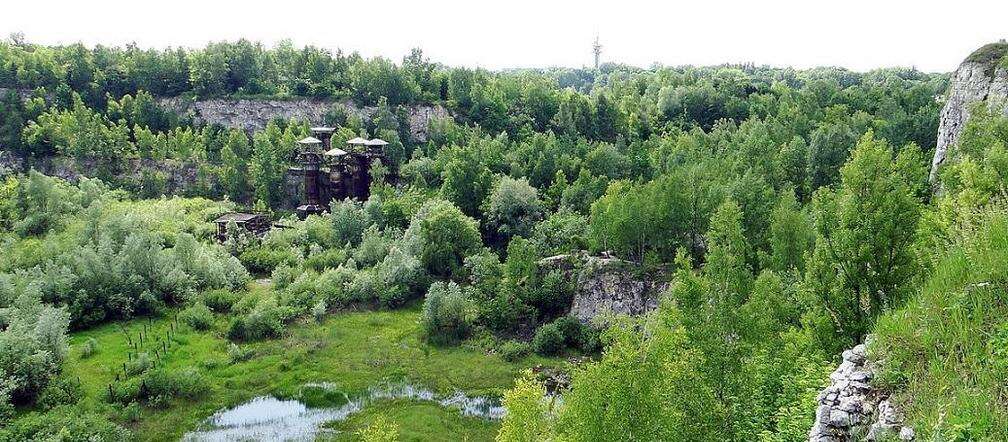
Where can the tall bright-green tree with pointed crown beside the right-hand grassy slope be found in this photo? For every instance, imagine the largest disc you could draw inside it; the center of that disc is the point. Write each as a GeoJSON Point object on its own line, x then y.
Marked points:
{"type": "Point", "coordinates": [862, 263]}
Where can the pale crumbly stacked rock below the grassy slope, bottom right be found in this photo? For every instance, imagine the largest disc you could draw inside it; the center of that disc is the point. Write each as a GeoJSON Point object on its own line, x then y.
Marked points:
{"type": "Point", "coordinates": [851, 409]}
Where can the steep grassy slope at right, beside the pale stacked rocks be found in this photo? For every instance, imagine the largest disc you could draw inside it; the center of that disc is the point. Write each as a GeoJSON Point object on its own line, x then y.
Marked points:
{"type": "Point", "coordinates": [945, 356]}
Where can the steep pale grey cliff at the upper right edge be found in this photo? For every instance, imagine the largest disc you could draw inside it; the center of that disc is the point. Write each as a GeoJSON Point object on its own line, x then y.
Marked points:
{"type": "Point", "coordinates": [981, 77]}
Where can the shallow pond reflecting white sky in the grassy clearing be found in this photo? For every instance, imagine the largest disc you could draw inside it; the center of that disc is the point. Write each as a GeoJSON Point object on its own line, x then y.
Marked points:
{"type": "Point", "coordinates": [270, 418]}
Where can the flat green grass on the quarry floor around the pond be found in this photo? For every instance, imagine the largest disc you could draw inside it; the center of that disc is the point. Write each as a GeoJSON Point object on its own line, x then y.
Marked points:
{"type": "Point", "coordinates": [351, 351]}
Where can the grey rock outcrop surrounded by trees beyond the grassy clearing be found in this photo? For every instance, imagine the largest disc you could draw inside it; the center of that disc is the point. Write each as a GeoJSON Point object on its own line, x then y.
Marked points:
{"type": "Point", "coordinates": [609, 286]}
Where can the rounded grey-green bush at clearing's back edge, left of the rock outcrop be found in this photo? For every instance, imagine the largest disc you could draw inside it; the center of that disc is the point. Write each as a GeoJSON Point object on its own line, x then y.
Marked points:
{"type": "Point", "coordinates": [448, 314]}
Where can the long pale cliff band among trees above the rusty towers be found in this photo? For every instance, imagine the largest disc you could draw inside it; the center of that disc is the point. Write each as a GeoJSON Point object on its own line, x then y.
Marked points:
{"type": "Point", "coordinates": [251, 116]}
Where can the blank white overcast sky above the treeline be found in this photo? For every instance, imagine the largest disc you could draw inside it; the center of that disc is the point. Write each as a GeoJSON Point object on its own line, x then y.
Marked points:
{"type": "Point", "coordinates": [858, 35]}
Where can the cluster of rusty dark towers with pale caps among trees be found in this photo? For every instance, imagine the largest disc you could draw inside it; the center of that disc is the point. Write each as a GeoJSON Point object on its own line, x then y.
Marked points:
{"type": "Point", "coordinates": [333, 173]}
